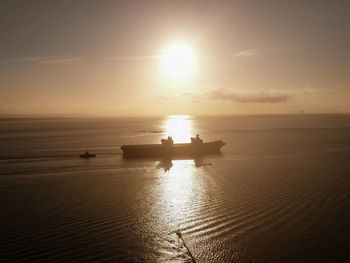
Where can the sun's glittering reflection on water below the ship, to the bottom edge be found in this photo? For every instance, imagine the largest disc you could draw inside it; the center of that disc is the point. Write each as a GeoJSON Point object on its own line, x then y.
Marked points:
{"type": "Point", "coordinates": [180, 193]}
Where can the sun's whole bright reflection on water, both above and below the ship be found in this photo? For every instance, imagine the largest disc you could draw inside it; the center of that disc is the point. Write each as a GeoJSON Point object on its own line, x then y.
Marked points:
{"type": "Point", "coordinates": [181, 189]}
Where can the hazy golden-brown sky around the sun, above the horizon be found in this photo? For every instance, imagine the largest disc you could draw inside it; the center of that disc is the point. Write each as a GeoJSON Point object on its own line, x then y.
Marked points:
{"type": "Point", "coordinates": [103, 58]}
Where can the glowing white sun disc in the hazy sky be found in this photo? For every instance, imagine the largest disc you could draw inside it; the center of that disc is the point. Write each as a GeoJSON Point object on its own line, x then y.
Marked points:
{"type": "Point", "coordinates": [178, 62]}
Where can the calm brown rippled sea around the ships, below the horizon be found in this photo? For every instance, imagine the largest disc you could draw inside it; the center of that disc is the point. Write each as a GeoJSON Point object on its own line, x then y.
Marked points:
{"type": "Point", "coordinates": [279, 192]}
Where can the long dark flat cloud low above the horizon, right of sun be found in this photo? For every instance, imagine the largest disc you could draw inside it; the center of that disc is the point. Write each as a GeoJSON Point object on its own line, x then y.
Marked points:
{"type": "Point", "coordinates": [261, 97]}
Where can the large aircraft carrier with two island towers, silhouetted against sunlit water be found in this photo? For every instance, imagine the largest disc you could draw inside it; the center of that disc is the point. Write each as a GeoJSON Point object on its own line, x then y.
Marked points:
{"type": "Point", "coordinates": [167, 148]}
